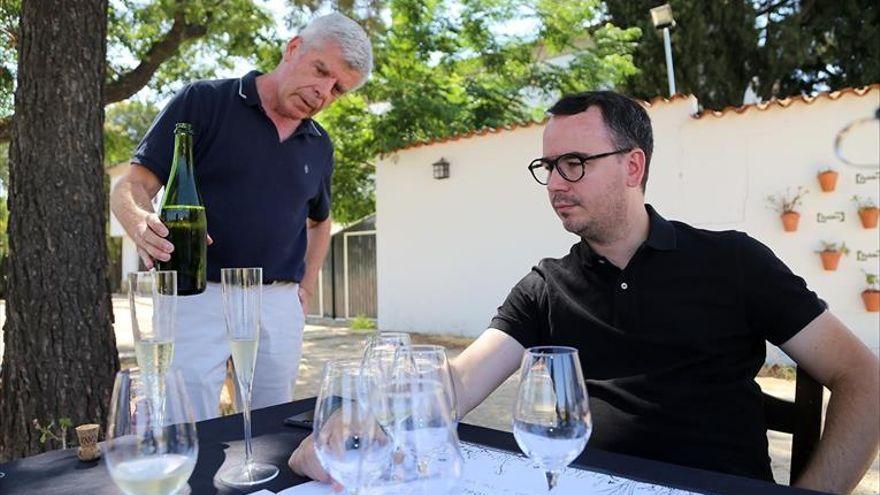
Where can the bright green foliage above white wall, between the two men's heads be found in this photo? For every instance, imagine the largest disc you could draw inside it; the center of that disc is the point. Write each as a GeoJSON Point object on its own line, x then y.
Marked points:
{"type": "Point", "coordinates": [444, 67]}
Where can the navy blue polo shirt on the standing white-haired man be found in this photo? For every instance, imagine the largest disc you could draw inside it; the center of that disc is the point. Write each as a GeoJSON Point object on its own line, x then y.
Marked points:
{"type": "Point", "coordinates": [257, 191]}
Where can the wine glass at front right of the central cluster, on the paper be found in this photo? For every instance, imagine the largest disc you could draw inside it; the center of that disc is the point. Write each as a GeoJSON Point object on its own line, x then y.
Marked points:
{"type": "Point", "coordinates": [427, 458]}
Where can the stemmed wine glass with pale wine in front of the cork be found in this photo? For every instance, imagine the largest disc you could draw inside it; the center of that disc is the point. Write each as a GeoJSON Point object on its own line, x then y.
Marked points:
{"type": "Point", "coordinates": [152, 444]}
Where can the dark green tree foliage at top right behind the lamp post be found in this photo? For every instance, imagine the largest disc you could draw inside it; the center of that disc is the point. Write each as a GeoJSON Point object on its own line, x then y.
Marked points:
{"type": "Point", "coordinates": [780, 48]}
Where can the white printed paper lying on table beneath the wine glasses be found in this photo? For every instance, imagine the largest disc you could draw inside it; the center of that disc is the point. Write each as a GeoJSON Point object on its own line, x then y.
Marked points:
{"type": "Point", "coordinates": [489, 471]}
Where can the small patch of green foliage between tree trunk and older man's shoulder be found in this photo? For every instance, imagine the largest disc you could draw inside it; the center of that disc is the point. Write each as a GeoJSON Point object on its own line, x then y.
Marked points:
{"type": "Point", "coordinates": [125, 123]}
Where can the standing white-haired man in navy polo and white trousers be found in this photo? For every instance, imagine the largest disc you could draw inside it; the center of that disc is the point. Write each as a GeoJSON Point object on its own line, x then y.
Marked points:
{"type": "Point", "coordinates": [263, 168]}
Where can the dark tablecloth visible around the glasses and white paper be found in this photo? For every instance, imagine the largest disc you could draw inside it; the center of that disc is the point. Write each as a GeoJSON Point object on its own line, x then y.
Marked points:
{"type": "Point", "coordinates": [59, 472]}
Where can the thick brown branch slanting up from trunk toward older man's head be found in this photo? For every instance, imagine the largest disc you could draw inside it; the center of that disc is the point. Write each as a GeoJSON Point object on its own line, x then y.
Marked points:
{"type": "Point", "coordinates": [131, 82]}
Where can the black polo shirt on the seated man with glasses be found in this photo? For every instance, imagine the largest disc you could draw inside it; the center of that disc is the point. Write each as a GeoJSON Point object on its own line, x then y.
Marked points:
{"type": "Point", "coordinates": [670, 345]}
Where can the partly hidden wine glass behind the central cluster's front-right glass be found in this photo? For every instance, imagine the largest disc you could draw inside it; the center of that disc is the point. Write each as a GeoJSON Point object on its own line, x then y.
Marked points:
{"type": "Point", "coordinates": [431, 363]}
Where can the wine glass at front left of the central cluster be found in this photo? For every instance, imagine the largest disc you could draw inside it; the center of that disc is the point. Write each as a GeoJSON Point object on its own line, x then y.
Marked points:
{"type": "Point", "coordinates": [349, 442]}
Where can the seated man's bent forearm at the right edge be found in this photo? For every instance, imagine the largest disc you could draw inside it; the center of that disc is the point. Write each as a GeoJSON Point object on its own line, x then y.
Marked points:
{"type": "Point", "coordinates": [850, 437]}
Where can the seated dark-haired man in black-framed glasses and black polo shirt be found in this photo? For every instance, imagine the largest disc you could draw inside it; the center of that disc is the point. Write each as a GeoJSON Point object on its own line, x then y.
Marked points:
{"type": "Point", "coordinates": [670, 321]}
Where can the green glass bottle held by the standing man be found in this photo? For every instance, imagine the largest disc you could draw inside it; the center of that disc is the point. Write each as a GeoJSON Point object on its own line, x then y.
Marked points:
{"type": "Point", "coordinates": [183, 212]}
